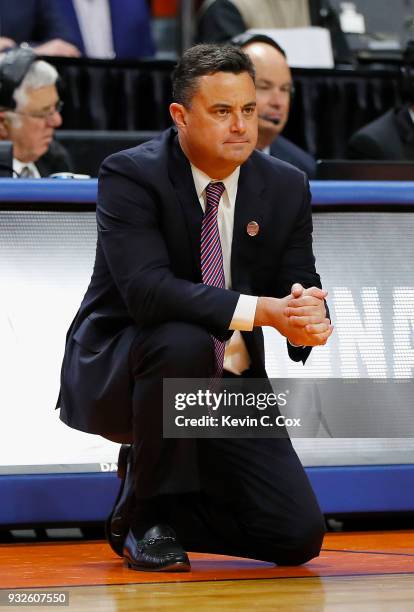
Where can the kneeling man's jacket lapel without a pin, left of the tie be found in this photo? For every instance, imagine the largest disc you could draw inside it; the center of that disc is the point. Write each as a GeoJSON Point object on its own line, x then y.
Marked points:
{"type": "Point", "coordinates": [182, 179]}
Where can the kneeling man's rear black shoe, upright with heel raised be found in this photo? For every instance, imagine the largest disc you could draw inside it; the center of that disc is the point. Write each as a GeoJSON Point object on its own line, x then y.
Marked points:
{"type": "Point", "coordinates": [118, 522]}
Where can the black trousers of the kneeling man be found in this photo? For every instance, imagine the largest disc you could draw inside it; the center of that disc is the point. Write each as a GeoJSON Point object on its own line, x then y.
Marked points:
{"type": "Point", "coordinates": [245, 497]}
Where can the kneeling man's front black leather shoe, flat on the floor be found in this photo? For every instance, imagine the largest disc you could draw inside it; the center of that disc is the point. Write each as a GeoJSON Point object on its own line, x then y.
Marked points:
{"type": "Point", "coordinates": [159, 550]}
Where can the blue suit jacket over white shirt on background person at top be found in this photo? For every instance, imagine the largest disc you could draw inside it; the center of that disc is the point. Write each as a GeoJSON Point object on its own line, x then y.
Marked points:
{"type": "Point", "coordinates": [131, 31]}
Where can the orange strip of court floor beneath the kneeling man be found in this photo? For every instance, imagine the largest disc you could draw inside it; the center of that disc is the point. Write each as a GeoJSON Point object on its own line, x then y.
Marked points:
{"type": "Point", "coordinates": [93, 563]}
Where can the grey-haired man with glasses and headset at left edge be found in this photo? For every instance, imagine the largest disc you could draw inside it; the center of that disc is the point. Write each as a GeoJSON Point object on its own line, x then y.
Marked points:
{"type": "Point", "coordinates": [30, 113]}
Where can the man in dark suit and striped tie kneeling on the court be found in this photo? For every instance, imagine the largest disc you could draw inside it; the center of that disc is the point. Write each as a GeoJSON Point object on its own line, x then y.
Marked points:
{"type": "Point", "coordinates": [192, 227]}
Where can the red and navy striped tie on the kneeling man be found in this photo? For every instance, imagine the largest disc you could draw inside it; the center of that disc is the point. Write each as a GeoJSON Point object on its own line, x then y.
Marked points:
{"type": "Point", "coordinates": [212, 272]}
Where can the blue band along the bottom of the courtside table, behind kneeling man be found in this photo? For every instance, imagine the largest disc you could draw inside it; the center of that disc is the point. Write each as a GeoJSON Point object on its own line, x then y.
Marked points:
{"type": "Point", "coordinates": [73, 498]}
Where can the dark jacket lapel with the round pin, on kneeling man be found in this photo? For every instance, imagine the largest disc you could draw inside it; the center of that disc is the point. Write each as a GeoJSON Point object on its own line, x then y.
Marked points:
{"type": "Point", "coordinates": [250, 206]}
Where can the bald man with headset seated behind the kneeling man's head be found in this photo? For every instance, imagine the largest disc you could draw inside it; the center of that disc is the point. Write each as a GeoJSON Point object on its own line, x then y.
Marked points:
{"type": "Point", "coordinates": [274, 91]}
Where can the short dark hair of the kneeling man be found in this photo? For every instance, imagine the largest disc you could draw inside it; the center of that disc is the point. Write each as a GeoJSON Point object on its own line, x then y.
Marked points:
{"type": "Point", "coordinates": [204, 59]}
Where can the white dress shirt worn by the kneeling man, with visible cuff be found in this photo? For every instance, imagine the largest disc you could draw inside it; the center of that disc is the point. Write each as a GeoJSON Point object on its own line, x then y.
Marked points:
{"type": "Point", "coordinates": [236, 357]}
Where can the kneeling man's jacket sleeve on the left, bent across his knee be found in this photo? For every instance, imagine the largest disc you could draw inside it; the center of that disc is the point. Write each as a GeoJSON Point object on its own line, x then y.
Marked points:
{"type": "Point", "coordinates": [129, 231]}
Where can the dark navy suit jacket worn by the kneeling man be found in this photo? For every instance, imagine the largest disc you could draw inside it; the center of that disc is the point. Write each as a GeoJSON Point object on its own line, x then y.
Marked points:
{"type": "Point", "coordinates": [147, 269]}
